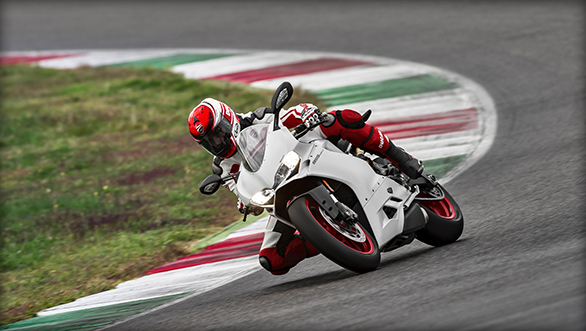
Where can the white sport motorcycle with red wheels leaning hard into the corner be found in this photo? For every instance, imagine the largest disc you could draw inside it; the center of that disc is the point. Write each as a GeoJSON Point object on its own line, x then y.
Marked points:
{"type": "Point", "coordinates": [347, 203]}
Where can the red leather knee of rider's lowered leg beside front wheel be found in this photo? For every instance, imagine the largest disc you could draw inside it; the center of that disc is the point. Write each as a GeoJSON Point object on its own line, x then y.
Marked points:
{"type": "Point", "coordinates": [297, 250]}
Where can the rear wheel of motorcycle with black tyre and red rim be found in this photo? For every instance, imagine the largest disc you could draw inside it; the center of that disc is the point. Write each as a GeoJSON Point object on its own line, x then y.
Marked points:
{"type": "Point", "coordinates": [446, 222]}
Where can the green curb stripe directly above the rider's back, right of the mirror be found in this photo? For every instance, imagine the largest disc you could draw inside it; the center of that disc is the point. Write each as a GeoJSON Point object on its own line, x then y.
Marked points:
{"type": "Point", "coordinates": [385, 89]}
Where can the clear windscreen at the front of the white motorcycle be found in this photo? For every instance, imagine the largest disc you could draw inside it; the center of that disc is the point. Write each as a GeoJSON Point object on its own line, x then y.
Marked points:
{"type": "Point", "coordinates": [251, 146]}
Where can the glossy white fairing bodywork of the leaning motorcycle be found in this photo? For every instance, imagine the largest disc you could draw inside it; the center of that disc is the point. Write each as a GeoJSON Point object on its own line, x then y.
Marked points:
{"type": "Point", "coordinates": [320, 158]}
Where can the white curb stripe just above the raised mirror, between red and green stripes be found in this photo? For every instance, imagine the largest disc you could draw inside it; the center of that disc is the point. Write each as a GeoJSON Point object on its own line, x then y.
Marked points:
{"type": "Point", "coordinates": [343, 77]}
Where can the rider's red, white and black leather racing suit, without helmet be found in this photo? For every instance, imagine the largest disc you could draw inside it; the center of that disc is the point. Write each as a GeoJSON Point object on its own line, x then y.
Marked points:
{"type": "Point", "coordinates": [282, 248]}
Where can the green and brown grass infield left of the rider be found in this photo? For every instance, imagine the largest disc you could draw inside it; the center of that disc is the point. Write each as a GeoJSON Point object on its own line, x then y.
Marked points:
{"type": "Point", "coordinates": [100, 178]}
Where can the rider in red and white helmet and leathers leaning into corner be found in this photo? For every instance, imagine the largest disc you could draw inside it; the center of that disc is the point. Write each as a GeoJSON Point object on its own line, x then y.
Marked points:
{"type": "Point", "coordinates": [213, 124]}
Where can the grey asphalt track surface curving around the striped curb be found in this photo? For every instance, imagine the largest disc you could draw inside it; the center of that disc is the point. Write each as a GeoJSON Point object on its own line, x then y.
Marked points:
{"type": "Point", "coordinates": [520, 262]}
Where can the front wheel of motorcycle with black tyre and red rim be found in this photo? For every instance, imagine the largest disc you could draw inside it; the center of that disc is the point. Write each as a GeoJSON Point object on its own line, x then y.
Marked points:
{"type": "Point", "coordinates": [348, 245]}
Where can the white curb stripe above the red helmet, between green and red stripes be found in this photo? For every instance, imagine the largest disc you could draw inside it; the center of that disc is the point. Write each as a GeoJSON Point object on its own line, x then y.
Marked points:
{"type": "Point", "coordinates": [239, 63]}
